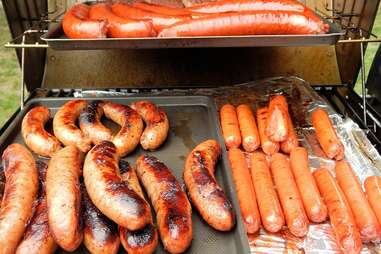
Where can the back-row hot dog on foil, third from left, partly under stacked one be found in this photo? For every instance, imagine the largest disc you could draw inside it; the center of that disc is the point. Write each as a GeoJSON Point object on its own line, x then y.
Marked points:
{"type": "Point", "coordinates": [268, 146]}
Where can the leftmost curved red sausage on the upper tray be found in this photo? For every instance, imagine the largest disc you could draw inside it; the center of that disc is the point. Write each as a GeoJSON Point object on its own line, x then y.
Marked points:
{"type": "Point", "coordinates": [77, 25]}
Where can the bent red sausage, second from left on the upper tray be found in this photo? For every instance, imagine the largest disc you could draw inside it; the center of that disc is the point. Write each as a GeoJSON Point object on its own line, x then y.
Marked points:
{"type": "Point", "coordinates": [118, 27]}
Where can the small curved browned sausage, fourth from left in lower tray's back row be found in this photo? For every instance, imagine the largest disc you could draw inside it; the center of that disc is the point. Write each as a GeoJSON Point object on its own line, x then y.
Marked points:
{"type": "Point", "coordinates": [127, 139]}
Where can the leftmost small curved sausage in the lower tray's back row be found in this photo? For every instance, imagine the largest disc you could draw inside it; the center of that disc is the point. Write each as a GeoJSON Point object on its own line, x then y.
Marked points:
{"type": "Point", "coordinates": [34, 134]}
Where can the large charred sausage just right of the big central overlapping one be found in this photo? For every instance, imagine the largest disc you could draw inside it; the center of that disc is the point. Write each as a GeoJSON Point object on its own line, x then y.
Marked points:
{"type": "Point", "coordinates": [173, 210]}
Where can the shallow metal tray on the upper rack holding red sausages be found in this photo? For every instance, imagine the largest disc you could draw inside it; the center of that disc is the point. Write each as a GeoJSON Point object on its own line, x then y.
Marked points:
{"type": "Point", "coordinates": [56, 39]}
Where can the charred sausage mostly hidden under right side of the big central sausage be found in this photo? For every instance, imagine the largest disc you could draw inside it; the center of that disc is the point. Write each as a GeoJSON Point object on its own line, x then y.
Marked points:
{"type": "Point", "coordinates": [142, 241]}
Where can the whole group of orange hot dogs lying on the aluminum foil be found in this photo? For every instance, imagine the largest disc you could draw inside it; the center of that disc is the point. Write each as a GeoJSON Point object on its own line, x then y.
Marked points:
{"type": "Point", "coordinates": [275, 189]}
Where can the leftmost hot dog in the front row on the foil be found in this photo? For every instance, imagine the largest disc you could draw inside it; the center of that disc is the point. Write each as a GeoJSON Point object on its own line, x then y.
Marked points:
{"type": "Point", "coordinates": [245, 190]}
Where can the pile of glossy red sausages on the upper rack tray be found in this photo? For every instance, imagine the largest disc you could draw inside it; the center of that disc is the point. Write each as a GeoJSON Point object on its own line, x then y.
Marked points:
{"type": "Point", "coordinates": [221, 18]}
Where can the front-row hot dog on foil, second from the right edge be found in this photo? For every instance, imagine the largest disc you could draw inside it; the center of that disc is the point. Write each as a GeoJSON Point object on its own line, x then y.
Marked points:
{"type": "Point", "coordinates": [364, 216]}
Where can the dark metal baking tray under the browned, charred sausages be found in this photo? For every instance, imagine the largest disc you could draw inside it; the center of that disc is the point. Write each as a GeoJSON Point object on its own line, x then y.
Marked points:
{"type": "Point", "coordinates": [193, 119]}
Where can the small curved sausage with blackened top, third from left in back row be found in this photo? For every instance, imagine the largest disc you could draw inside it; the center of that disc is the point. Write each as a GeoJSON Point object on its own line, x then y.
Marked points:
{"type": "Point", "coordinates": [91, 125]}
